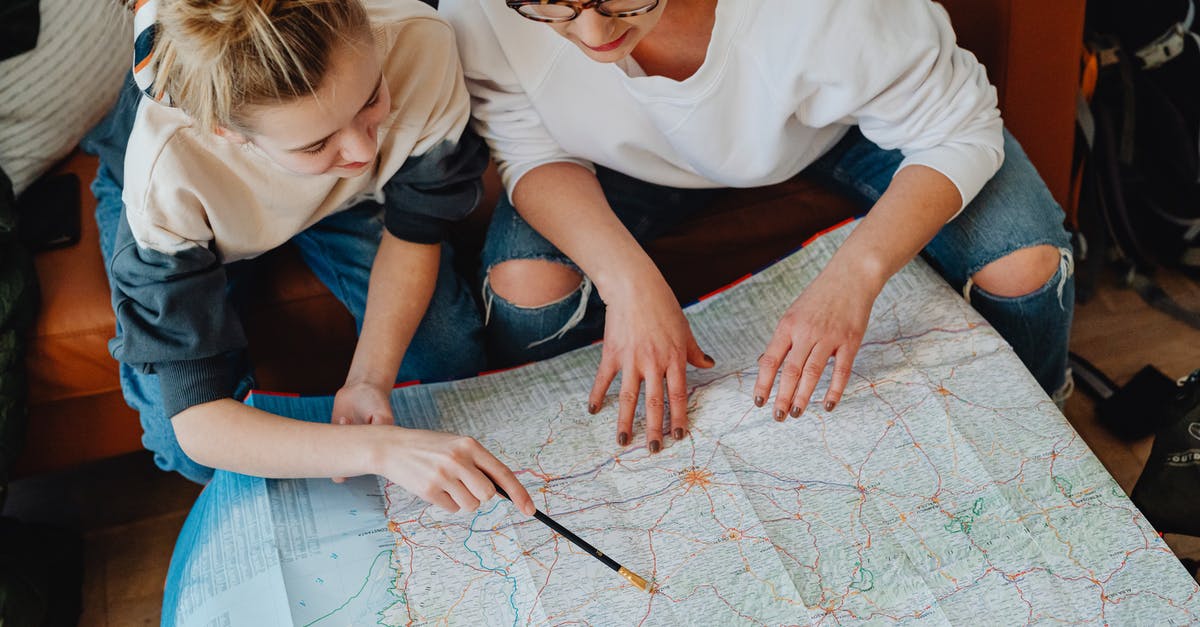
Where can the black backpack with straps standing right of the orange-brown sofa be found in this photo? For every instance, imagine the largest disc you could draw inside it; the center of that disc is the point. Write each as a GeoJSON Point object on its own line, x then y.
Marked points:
{"type": "Point", "coordinates": [1138, 186]}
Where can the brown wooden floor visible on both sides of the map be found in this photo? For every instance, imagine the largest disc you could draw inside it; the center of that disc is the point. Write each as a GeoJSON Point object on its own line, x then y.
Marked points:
{"type": "Point", "coordinates": [130, 513]}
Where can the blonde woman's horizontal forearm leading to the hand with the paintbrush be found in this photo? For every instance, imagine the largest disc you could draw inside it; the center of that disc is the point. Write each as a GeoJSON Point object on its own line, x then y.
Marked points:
{"type": "Point", "coordinates": [229, 435]}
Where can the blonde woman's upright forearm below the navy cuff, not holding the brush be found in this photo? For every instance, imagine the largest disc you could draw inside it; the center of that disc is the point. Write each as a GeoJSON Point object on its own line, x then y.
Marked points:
{"type": "Point", "coordinates": [403, 282]}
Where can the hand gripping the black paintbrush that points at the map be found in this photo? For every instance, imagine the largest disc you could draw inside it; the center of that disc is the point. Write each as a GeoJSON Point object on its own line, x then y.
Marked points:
{"type": "Point", "coordinates": [451, 471]}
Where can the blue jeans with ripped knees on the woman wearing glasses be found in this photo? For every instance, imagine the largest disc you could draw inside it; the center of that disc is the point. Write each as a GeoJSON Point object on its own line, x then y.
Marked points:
{"type": "Point", "coordinates": [1015, 211]}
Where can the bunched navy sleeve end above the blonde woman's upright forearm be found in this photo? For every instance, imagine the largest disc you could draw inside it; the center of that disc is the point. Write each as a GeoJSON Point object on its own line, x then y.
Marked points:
{"type": "Point", "coordinates": [434, 190]}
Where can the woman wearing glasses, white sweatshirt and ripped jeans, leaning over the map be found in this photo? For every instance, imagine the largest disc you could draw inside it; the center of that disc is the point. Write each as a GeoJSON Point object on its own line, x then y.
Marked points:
{"type": "Point", "coordinates": [613, 121]}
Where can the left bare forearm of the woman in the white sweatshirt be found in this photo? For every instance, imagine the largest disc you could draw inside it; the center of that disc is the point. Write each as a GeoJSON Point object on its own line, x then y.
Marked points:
{"type": "Point", "coordinates": [566, 204]}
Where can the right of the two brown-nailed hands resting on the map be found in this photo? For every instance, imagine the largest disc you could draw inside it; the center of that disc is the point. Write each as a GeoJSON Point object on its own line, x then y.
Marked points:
{"type": "Point", "coordinates": [829, 320]}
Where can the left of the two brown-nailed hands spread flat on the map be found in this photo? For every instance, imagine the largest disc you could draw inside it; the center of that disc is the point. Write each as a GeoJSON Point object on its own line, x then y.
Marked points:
{"type": "Point", "coordinates": [646, 339]}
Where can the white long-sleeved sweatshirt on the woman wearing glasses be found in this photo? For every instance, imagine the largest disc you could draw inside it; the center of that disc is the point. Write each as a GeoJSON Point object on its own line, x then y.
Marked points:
{"type": "Point", "coordinates": [782, 83]}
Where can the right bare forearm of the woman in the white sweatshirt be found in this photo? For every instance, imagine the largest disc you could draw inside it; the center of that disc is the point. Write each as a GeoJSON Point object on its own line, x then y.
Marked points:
{"type": "Point", "coordinates": [911, 212]}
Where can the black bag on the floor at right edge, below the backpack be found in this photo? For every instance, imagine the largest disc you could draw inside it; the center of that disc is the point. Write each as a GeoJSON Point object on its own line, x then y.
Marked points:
{"type": "Point", "coordinates": [1168, 492]}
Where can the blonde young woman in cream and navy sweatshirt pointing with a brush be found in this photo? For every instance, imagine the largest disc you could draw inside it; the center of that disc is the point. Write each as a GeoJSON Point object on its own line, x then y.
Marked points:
{"type": "Point", "coordinates": [329, 124]}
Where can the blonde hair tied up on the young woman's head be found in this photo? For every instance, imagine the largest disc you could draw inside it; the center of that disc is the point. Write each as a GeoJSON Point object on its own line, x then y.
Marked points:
{"type": "Point", "coordinates": [217, 57]}
